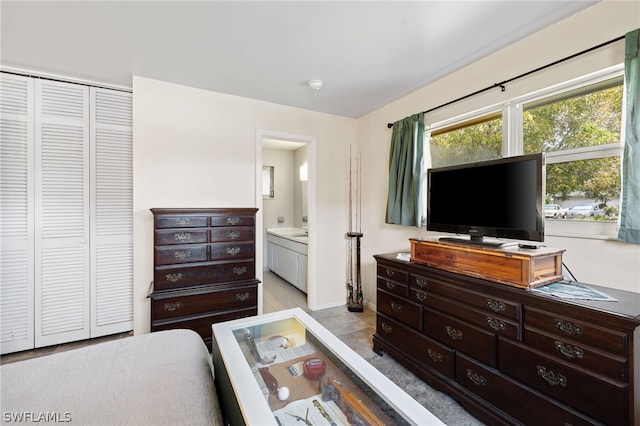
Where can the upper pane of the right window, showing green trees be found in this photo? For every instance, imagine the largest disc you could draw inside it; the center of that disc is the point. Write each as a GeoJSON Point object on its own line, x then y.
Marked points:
{"type": "Point", "coordinates": [587, 120]}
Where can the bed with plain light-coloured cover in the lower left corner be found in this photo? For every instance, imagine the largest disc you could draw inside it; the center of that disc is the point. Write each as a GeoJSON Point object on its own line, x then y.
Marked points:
{"type": "Point", "coordinates": [162, 378]}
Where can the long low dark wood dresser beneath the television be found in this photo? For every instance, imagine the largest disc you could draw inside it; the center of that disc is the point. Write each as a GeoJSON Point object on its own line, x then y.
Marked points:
{"type": "Point", "coordinates": [508, 355]}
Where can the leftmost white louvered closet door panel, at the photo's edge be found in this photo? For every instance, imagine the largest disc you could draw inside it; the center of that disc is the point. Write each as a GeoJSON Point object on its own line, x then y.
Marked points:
{"type": "Point", "coordinates": [16, 217]}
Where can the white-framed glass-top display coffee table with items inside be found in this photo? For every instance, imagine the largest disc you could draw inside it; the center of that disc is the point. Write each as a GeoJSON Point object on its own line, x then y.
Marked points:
{"type": "Point", "coordinates": [285, 368]}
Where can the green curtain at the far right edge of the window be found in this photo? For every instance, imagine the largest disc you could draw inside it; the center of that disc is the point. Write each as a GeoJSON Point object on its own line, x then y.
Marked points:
{"type": "Point", "coordinates": [630, 206]}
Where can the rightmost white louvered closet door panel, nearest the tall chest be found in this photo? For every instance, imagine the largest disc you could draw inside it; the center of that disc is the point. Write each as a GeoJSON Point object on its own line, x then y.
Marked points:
{"type": "Point", "coordinates": [112, 204]}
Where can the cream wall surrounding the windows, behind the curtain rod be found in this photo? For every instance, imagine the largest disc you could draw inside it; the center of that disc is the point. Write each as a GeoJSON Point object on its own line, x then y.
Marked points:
{"type": "Point", "coordinates": [608, 263]}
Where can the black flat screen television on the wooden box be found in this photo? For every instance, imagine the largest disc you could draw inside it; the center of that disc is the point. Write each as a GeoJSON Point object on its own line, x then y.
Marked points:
{"type": "Point", "coordinates": [500, 198]}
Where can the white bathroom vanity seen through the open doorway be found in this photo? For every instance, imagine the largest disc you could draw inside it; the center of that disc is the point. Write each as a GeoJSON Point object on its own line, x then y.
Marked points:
{"type": "Point", "coordinates": [287, 255]}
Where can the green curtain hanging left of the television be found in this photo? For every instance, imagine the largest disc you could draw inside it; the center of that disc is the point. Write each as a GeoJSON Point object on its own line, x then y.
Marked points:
{"type": "Point", "coordinates": [405, 204]}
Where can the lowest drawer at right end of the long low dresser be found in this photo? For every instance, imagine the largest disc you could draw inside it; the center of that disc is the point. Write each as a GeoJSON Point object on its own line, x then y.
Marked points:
{"type": "Point", "coordinates": [605, 400]}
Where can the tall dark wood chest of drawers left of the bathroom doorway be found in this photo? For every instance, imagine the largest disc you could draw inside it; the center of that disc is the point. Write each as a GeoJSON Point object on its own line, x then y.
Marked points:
{"type": "Point", "coordinates": [204, 268]}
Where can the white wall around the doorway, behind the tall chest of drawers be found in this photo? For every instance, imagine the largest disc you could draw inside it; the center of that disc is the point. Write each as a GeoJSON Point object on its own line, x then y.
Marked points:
{"type": "Point", "coordinates": [195, 148]}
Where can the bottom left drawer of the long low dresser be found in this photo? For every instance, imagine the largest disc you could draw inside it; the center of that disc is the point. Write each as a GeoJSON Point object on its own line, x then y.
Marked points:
{"type": "Point", "coordinates": [427, 352]}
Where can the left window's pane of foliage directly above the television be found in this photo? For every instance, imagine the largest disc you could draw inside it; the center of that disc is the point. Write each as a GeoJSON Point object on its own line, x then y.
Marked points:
{"type": "Point", "coordinates": [478, 142]}
